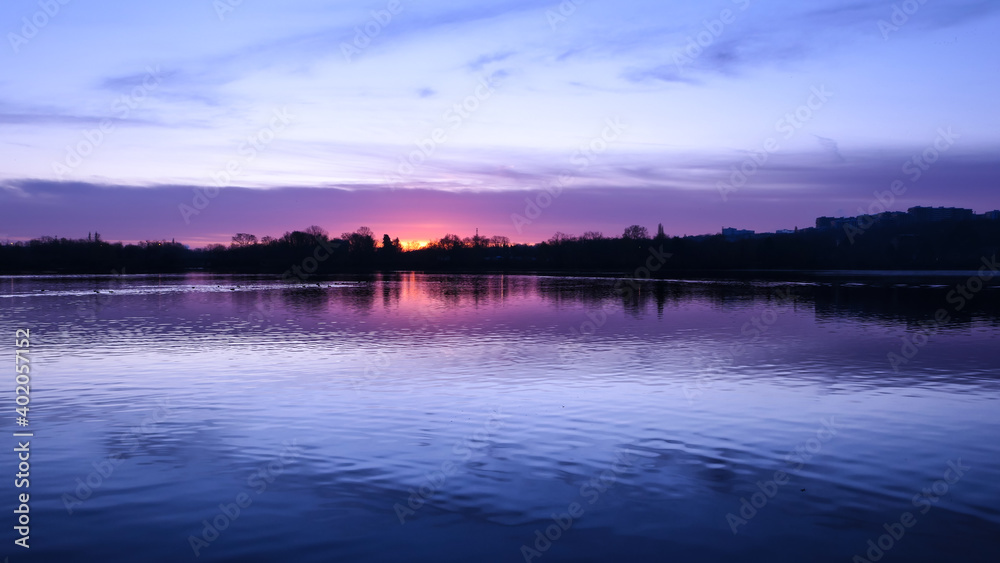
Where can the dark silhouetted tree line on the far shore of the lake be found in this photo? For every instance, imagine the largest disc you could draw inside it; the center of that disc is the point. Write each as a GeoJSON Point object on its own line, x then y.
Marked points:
{"type": "Point", "coordinates": [959, 244]}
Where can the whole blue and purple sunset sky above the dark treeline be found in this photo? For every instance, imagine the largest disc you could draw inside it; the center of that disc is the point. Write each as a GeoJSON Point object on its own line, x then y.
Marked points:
{"type": "Point", "coordinates": [196, 119]}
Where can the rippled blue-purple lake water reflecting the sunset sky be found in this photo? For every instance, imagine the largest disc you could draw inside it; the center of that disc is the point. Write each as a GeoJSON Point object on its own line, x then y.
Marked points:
{"type": "Point", "coordinates": [507, 418]}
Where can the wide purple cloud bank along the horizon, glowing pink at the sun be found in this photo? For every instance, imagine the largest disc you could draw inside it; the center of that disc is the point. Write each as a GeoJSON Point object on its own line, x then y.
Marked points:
{"type": "Point", "coordinates": [791, 190]}
